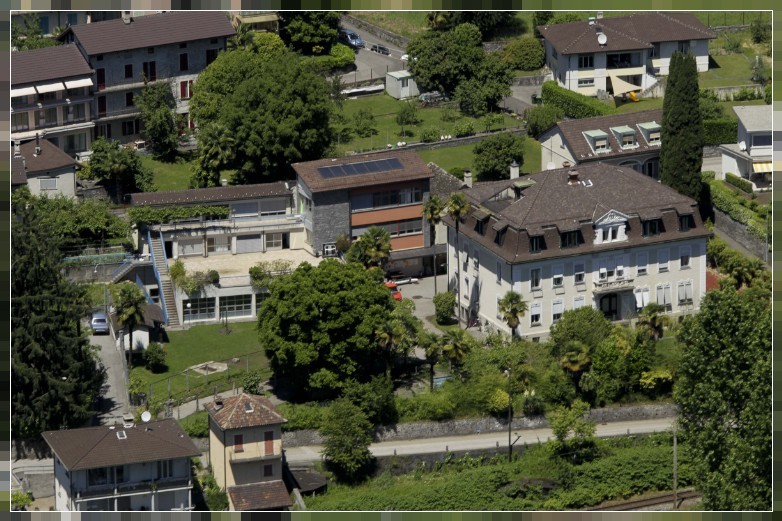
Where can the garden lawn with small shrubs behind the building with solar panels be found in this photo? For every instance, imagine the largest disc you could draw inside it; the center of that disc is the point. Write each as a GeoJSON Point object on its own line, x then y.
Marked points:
{"type": "Point", "coordinates": [385, 108]}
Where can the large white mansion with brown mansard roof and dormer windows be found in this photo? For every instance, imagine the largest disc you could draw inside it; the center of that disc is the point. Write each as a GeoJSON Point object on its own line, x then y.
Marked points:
{"type": "Point", "coordinates": [595, 235]}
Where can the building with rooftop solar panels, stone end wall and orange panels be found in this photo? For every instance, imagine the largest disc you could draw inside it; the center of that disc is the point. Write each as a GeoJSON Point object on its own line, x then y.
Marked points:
{"type": "Point", "coordinates": [346, 196]}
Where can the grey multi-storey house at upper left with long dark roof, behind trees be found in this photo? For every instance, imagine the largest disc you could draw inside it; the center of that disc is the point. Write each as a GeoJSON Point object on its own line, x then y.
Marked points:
{"type": "Point", "coordinates": [172, 47]}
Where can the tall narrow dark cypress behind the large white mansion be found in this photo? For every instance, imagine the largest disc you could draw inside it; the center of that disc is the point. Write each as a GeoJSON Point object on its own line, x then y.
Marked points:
{"type": "Point", "coordinates": [681, 155]}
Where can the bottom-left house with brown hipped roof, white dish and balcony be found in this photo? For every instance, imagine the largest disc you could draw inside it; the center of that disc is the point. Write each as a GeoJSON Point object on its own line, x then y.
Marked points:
{"type": "Point", "coordinates": [123, 467]}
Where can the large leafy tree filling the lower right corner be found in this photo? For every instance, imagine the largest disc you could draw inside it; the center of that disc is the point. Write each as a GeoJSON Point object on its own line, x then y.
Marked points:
{"type": "Point", "coordinates": [724, 395]}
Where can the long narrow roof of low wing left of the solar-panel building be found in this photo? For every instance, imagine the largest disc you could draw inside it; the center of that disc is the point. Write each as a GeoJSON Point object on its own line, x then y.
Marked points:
{"type": "Point", "coordinates": [210, 195]}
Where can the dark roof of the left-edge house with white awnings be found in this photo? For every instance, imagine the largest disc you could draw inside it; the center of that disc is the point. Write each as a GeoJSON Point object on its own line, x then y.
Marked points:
{"type": "Point", "coordinates": [52, 63]}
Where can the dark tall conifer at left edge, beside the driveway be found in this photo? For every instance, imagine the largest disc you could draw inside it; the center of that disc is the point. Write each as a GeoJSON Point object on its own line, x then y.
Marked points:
{"type": "Point", "coordinates": [54, 370]}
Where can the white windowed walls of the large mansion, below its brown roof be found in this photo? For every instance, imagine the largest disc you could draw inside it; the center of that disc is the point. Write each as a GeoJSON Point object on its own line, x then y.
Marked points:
{"type": "Point", "coordinates": [618, 281]}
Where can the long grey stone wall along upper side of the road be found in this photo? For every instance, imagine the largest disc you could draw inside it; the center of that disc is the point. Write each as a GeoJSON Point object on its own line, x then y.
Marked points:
{"type": "Point", "coordinates": [420, 430]}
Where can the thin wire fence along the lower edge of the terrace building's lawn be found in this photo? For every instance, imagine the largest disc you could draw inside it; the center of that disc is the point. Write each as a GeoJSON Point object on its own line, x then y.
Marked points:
{"type": "Point", "coordinates": [199, 381]}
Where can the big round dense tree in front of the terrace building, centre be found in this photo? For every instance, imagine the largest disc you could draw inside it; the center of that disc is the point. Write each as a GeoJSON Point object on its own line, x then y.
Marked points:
{"type": "Point", "coordinates": [318, 326]}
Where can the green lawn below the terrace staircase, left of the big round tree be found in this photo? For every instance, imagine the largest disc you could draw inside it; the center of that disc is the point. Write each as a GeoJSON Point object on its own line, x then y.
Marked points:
{"type": "Point", "coordinates": [200, 344]}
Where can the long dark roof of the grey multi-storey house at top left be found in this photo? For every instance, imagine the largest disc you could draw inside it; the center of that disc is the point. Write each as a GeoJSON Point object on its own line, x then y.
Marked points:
{"type": "Point", "coordinates": [151, 30]}
